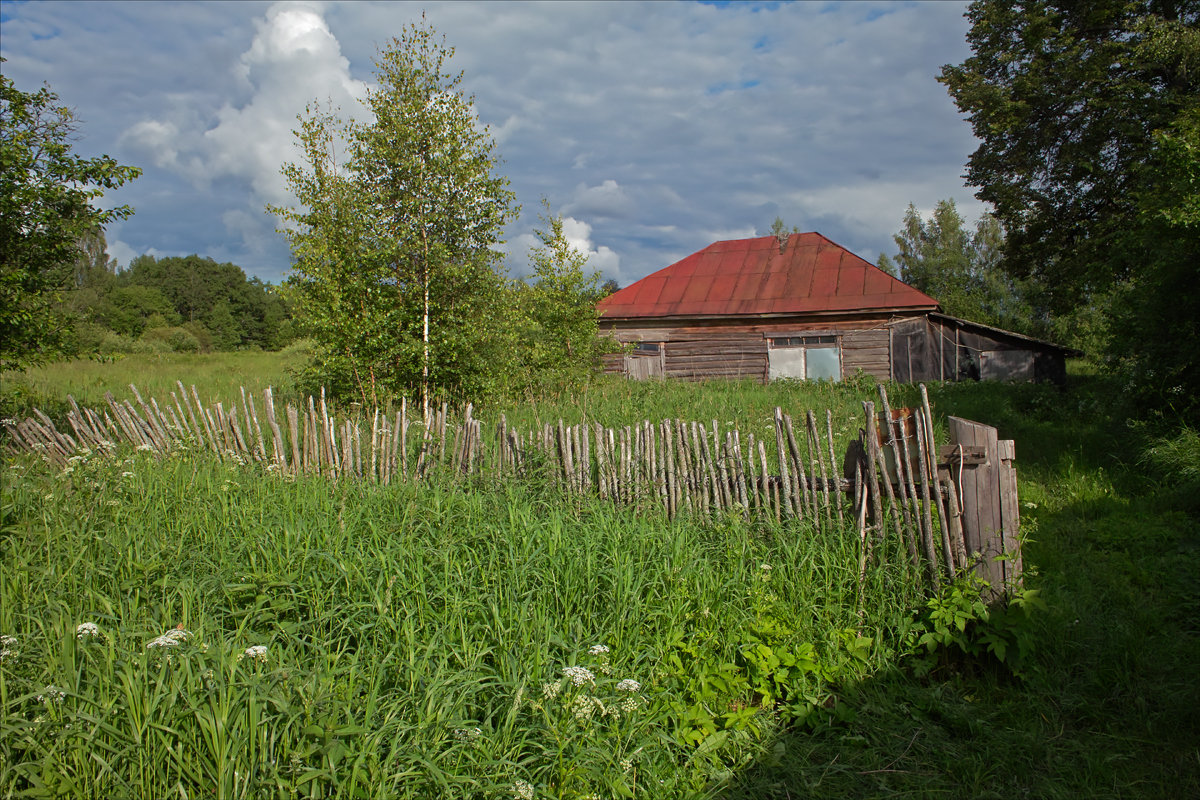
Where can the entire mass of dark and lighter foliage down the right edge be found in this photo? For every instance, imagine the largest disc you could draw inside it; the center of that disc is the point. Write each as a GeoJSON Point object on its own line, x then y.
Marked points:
{"type": "Point", "coordinates": [1088, 122]}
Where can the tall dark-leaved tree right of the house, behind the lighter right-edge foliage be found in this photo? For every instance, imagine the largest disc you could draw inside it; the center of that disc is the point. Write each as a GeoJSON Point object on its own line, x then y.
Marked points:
{"type": "Point", "coordinates": [1066, 99]}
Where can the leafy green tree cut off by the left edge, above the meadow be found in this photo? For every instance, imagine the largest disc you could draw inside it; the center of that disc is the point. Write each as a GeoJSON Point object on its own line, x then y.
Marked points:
{"type": "Point", "coordinates": [46, 212]}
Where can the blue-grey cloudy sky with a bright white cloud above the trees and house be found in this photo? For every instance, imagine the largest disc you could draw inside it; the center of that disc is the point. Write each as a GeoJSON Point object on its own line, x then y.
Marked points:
{"type": "Point", "coordinates": [655, 129]}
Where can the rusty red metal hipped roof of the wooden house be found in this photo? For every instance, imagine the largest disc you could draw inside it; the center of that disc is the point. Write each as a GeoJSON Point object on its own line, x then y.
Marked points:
{"type": "Point", "coordinates": [752, 276]}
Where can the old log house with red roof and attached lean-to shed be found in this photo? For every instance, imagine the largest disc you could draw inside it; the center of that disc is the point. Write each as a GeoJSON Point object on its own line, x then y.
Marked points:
{"type": "Point", "coordinates": [803, 308]}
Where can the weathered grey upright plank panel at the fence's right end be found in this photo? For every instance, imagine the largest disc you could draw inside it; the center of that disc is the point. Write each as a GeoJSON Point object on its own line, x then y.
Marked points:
{"type": "Point", "coordinates": [991, 512]}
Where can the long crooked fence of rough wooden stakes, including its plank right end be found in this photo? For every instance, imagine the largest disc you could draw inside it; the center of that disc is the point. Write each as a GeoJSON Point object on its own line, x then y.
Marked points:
{"type": "Point", "coordinates": [950, 508]}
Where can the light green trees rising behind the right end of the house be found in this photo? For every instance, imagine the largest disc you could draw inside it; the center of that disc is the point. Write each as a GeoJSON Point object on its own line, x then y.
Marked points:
{"type": "Point", "coordinates": [962, 270]}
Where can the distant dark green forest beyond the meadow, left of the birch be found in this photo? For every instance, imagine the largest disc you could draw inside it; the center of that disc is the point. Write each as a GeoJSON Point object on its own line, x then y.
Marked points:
{"type": "Point", "coordinates": [173, 305]}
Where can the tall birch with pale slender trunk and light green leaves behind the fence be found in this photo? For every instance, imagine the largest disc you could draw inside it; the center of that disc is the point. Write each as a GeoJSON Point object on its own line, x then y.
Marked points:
{"type": "Point", "coordinates": [404, 226]}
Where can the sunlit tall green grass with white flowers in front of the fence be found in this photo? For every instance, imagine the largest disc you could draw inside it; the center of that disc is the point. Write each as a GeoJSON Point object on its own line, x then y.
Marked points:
{"type": "Point", "coordinates": [415, 639]}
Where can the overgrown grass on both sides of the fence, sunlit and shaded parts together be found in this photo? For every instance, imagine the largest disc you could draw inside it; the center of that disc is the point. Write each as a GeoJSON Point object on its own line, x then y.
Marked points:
{"type": "Point", "coordinates": [263, 637]}
